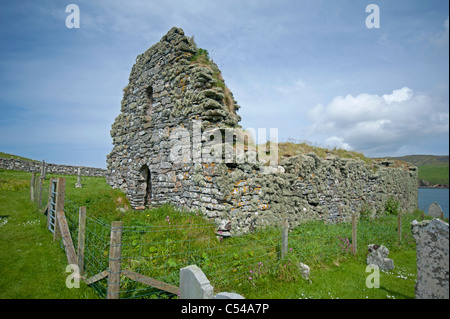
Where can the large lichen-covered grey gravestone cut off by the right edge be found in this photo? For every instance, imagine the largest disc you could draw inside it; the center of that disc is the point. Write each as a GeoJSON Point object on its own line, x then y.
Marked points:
{"type": "Point", "coordinates": [432, 258]}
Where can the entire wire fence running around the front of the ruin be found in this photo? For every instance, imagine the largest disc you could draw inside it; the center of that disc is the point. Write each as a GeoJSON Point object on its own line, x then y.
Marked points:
{"type": "Point", "coordinates": [160, 250]}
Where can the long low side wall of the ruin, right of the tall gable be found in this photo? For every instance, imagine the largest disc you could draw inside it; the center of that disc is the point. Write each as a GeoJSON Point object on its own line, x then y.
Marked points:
{"type": "Point", "coordinates": [329, 189]}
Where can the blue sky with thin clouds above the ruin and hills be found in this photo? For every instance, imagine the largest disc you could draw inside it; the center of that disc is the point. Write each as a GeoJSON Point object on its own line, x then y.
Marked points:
{"type": "Point", "coordinates": [313, 69]}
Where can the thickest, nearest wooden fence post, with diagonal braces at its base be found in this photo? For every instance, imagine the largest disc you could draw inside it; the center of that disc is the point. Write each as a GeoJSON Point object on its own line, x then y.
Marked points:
{"type": "Point", "coordinates": [115, 251]}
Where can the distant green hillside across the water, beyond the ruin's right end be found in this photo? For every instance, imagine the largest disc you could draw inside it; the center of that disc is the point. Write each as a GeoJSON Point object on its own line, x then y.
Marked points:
{"type": "Point", "coordinates": [433, 170]}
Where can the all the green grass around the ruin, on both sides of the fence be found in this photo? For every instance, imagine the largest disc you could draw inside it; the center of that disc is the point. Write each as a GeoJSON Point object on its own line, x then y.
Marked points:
{"type": "Point", "coordinates": [33, 266]}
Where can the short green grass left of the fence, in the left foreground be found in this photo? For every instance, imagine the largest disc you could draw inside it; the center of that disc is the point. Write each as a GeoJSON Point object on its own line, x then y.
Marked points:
{"type": "Point", "coordinates": [31, 264]}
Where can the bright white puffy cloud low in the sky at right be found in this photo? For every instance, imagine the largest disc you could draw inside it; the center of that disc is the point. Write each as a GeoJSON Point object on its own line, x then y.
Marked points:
{"type": "Point", "coordinates": [380, 124]}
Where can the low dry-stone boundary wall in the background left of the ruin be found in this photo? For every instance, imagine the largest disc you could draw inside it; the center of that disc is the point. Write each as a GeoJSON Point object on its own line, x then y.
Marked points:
{"type": "Point", "coordinates": [34, 166]}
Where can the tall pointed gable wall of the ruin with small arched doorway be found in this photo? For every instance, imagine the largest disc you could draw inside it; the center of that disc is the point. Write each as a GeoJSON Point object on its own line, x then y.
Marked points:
{"type": "Point", "coordinates": [165, 92]}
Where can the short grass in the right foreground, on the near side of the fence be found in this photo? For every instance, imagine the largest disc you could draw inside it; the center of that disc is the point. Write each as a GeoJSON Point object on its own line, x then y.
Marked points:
{"type": "Point", "coordinates": [339, 280]}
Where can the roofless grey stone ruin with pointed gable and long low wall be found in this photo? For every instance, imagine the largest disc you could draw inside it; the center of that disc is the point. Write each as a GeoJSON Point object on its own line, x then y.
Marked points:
{"type": "Point", "coordinates": [176, 104]}
